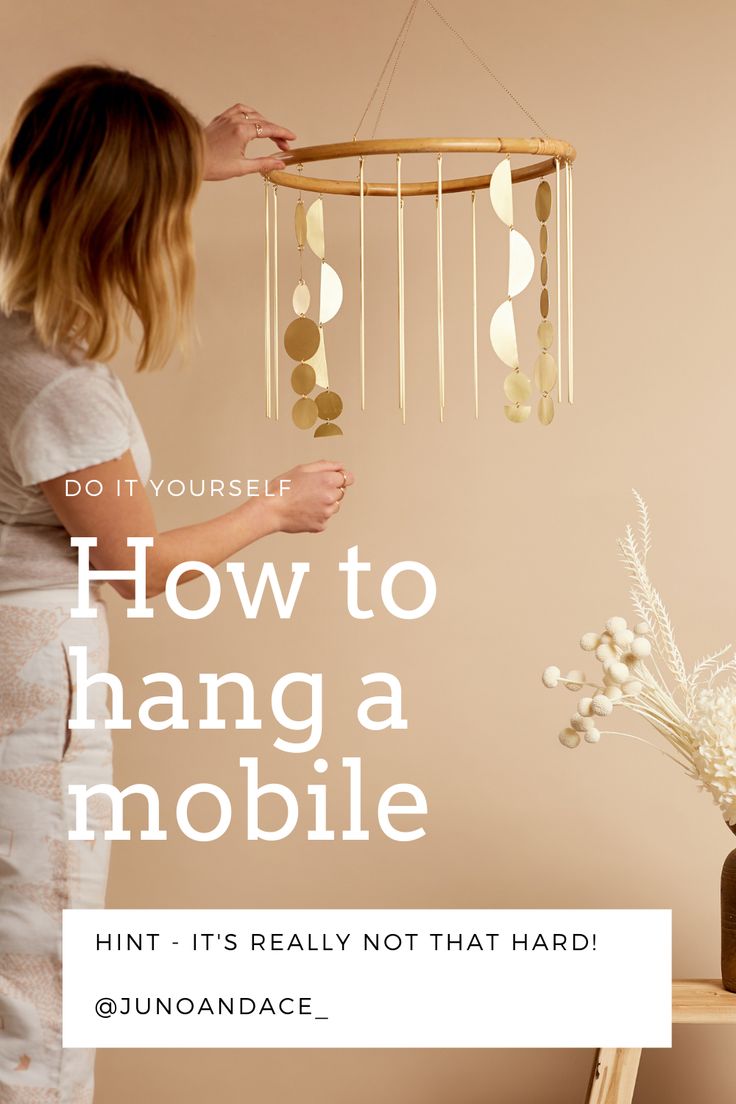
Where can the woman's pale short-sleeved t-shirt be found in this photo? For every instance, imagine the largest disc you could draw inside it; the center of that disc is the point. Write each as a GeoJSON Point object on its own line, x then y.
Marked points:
{"type": "Point", "coordinates": [57, 417]}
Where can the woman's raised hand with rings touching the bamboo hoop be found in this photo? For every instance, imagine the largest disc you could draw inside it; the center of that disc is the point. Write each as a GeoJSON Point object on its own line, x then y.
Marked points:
{"type": "Point", "coordinates": [227, 140]}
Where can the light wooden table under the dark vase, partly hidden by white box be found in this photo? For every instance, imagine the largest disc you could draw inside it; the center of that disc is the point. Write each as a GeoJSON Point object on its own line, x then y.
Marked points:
{"type": "Point", "coordinates": [614, 1075]}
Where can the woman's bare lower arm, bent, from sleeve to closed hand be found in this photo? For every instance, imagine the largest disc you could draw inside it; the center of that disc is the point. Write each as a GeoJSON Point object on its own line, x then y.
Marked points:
{"type": "Point", "coordinates": [313, 498]}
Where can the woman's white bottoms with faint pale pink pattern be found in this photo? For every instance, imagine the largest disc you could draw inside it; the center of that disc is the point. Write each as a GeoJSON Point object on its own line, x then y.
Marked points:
{"type": "Point", "coordinates": [41, 872]}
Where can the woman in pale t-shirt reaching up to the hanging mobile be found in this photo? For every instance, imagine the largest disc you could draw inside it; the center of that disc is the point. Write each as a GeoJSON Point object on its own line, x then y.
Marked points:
{"type": "Point", "coordinates": [98, 182]}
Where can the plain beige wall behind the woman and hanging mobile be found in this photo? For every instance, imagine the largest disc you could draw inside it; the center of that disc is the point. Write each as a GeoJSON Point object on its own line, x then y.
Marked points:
{"type": "Point", "coordinates": [519, 524]}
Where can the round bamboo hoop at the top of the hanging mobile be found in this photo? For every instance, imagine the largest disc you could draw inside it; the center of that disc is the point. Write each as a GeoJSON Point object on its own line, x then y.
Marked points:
{"type": "Point", "coordinates": [552, 150]}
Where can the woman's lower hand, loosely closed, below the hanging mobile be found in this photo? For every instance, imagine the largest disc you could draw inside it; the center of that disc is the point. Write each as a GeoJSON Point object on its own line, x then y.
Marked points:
{"type": "Point", "coordinates": [314, 494]}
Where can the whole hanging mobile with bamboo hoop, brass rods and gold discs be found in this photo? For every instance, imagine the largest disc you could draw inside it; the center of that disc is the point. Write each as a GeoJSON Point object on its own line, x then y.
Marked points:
{"type": "Point", "coordinates": [540, 158]}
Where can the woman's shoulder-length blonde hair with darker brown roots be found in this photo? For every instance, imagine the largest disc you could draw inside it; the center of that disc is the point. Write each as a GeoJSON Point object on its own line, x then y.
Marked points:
{"type": "Point", "coordinates": [98, 181]}
